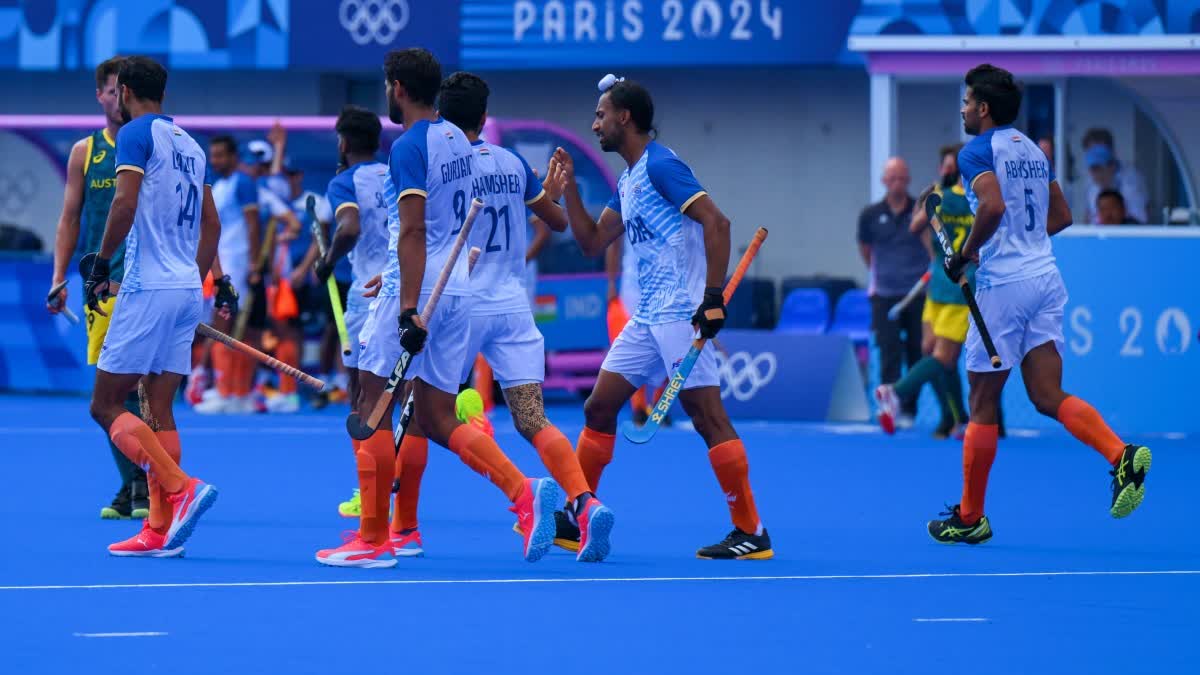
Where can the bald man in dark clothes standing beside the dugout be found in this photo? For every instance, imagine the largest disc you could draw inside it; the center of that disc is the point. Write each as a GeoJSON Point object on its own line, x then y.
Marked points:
{"type": "Point", "coordinates": [896, 259]}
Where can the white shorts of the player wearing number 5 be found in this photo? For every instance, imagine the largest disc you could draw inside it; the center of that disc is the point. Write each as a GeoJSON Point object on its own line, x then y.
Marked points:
{"type": "Point", "coordinates": [1021, 316]}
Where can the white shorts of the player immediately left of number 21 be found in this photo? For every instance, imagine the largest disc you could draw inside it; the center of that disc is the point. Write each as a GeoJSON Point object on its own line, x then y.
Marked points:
{"type": "Point", "coordinates": [440, 363]}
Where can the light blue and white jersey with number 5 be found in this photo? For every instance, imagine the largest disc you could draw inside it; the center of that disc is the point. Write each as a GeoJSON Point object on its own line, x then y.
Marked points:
{"type": "Point", "coordinates": [1021, 248]}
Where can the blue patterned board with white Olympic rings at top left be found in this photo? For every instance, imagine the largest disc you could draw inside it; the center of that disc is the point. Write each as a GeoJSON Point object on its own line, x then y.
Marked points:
{"type": "Point", "coordinates": [219, 35]}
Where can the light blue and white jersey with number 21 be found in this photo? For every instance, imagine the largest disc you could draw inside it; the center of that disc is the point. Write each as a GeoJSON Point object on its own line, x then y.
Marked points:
{"type": "Point", "coordinates": [507, 184]}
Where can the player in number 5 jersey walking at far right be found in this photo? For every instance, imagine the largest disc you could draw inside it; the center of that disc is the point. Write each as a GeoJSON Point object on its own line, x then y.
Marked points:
{"type": "Point", "coordinates": [1018, 206]}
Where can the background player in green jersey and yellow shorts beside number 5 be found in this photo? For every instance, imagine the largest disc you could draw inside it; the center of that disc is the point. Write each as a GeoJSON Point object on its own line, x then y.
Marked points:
{"type": "Point", "coordinates": [945, 316]}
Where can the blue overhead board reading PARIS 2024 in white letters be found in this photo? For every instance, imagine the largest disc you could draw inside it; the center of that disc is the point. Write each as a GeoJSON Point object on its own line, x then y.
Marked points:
{"type": "Point", "coordinates": [551, 34]}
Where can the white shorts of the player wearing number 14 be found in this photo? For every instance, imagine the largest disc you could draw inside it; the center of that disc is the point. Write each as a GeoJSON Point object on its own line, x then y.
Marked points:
{"type": "Point", "coordinates": [153, 332]}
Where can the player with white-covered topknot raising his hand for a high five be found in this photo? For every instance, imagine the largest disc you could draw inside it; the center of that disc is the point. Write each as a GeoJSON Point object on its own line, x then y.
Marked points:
{"type": "Point", "coordinates": [682, 244]}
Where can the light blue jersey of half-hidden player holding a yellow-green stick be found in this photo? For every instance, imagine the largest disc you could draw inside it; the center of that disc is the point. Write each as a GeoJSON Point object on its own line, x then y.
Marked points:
{"type": "Point", "coordinates": [362, 188]}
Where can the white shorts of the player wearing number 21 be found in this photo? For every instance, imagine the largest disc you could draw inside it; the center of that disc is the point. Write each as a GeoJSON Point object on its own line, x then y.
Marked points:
{"type": "Point", "coordinates": [513, 347]}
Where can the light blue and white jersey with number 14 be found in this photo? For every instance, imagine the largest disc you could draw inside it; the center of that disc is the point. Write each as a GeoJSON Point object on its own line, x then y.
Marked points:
{"type": "Point", "coordinates": [160, 250]}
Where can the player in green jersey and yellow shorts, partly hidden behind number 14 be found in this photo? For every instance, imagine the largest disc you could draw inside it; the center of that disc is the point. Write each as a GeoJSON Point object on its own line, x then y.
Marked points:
{"type": "Point", "coordinates": [92, 183]}
